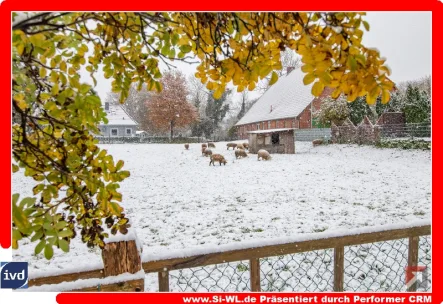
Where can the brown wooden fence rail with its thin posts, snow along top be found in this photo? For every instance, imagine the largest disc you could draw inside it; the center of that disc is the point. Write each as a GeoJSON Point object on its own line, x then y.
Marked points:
{"type": "Point", "coordinates": [338, 244]}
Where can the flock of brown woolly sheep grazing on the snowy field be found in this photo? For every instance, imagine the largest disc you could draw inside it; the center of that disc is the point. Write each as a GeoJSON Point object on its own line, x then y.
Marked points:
{"type": "Point", "coordinates": [240, 152]}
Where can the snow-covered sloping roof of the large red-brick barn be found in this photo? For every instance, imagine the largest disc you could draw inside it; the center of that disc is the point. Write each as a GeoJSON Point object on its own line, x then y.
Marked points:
{"type": "Point", "coordinates": [288, 97]}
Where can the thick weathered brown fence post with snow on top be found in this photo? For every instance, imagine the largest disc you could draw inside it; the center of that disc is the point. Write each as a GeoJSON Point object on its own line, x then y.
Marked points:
{"type": "Point", "coordinates": [121, 257]}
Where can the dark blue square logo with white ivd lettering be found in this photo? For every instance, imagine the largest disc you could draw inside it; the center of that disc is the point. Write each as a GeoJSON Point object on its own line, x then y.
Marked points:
{"type": "Point", "coordinates": [13, 275]}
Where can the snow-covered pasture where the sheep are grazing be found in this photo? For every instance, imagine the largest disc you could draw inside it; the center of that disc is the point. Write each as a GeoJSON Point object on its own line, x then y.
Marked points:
{"type": "Point", "coordinates": [176, 200]}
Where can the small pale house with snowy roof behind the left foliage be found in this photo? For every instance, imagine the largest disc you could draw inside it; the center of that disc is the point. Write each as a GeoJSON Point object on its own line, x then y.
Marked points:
{"type": "Point", "coordinates": [120, 124]}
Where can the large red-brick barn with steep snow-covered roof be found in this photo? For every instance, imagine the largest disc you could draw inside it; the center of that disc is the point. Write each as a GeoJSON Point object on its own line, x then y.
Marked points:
{"type": "Point", "coordinates": [287, 104]}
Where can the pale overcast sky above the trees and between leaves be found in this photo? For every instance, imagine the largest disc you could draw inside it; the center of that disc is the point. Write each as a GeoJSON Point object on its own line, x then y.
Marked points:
{"type": "Point", "coordinates": [404, 38]}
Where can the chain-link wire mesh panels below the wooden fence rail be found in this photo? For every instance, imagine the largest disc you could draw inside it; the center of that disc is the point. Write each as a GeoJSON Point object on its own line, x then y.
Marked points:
{"type": "Point", "coordinates": [377, 266]}
